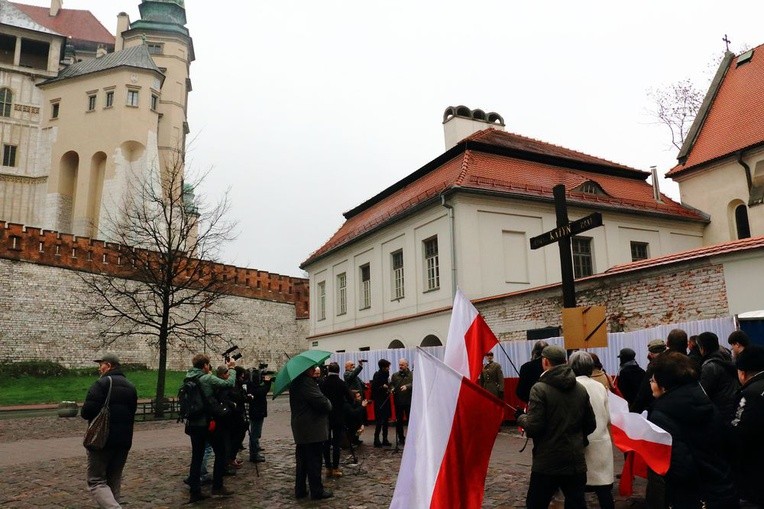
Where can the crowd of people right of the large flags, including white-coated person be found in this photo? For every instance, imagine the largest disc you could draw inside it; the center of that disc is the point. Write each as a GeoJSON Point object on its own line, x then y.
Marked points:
{"type": "Point", "coordinates": [709, 398]}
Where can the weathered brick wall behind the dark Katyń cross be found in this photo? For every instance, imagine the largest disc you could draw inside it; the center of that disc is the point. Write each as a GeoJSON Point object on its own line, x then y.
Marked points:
{"type": "Point", "coordinates": [633, 301]}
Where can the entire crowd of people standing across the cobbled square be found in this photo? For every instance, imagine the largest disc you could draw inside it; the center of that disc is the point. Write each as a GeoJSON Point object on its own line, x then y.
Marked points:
{"type": "Point", "coordinates": [709, 398]}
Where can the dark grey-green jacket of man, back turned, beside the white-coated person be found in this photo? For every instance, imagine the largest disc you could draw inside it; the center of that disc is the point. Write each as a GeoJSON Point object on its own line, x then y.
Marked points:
{"type": "Point", "coordinates": [559, 419]}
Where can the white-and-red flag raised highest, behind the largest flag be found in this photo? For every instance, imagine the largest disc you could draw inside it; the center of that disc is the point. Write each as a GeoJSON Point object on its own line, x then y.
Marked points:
{"type": "Point", "coordinates": [469, 338]}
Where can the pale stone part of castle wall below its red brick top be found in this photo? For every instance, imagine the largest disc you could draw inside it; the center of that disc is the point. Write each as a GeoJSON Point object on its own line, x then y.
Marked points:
{"type": "Point", "coordinates": [40, 318]}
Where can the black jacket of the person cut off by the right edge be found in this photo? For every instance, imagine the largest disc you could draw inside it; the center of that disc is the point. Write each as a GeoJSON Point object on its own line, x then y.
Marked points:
{"type": "Point", "coordinates": [748, 440]}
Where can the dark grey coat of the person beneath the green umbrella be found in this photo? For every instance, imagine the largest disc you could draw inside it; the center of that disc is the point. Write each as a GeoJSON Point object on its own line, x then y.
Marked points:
{"type": "Point", "coordinates": [310, 411]}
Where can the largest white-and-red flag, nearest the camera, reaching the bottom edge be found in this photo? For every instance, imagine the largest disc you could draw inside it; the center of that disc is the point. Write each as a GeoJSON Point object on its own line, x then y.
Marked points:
{"type": "Point", "coordinates": [453, 426]}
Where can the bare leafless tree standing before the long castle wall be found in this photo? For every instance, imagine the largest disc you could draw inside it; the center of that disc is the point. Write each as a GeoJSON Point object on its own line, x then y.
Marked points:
{"type": "Point", "coordinates": [169, 243]}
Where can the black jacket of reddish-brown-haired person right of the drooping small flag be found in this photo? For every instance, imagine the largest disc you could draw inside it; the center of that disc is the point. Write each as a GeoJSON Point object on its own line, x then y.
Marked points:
{"type": "Point", "coordinates": [697, 469]}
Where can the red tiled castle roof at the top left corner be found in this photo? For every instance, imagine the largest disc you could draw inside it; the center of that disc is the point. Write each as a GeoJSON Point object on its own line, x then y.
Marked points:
{"type": "Point", "coordinates": [78, 24]}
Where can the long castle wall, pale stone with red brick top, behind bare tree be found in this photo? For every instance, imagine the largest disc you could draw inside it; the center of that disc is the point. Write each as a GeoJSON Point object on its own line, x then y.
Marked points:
{"type": "Point", "coordinates": [42, 296]}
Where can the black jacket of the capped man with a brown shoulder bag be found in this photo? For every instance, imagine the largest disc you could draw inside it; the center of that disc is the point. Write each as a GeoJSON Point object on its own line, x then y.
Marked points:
{"type": "Point", "coordinates": [122, 405]}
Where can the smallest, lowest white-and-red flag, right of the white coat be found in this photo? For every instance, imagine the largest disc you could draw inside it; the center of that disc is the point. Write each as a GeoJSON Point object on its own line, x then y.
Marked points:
{"type": "Point", "coordinates": [644, 442]}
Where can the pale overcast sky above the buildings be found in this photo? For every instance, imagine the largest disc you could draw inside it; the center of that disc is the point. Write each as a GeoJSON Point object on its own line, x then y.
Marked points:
{"type": "Point", "coordinates": [306, 108]}
